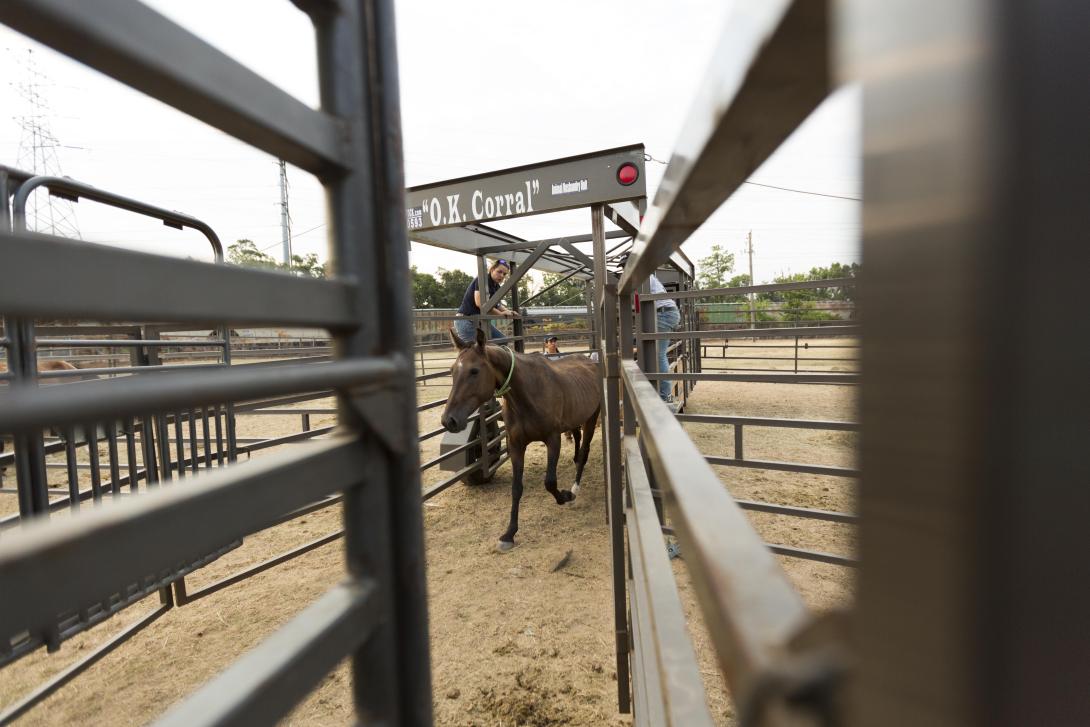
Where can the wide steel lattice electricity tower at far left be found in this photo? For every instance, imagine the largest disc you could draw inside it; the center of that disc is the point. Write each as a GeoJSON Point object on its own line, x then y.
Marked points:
{"type": "Point", "coordinates": [38, 153]}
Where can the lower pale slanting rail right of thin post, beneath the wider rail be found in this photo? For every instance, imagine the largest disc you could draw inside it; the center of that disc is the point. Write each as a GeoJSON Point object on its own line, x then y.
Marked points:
{"type": "Point", "coordinates": [669, 640]}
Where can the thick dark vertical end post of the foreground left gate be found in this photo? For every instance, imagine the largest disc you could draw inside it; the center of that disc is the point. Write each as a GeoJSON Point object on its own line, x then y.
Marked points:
{"type": "Point", "coordinates": [384, 538]}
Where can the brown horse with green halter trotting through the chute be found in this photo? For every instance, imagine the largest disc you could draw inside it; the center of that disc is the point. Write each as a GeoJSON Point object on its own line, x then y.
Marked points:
{"type": "Point", "coordinates": [542, 401]}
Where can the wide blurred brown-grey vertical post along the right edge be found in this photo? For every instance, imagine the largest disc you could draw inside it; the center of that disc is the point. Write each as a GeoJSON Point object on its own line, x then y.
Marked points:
{"type": "Point", "coordinates": [974, 504]}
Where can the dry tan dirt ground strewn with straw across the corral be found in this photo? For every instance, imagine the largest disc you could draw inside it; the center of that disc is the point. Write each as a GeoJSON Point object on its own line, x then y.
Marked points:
{"type": "Point", "coordinates": [515, 640]}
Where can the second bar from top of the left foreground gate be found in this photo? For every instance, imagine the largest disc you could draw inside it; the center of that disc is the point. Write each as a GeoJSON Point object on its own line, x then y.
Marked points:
{"type": "Point", "coordinates": [148, 287]}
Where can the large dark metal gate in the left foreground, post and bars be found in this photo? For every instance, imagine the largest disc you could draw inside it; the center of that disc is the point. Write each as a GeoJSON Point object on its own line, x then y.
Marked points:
{"type": "Point", "coordinates": [54, 571]}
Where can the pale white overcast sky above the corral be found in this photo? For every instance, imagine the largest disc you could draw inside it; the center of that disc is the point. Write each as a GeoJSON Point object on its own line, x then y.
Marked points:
{"type": "Point", "coordinates": [482, 89]}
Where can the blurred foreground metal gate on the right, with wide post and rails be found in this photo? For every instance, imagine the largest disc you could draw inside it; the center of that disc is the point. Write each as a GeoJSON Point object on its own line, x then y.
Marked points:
{"type": "Point", "coordinates": [973, 592]}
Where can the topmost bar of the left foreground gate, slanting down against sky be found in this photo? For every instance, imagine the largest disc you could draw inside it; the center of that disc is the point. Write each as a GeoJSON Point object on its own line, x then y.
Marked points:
{"type": "Point", "coordinates": [139, 47]}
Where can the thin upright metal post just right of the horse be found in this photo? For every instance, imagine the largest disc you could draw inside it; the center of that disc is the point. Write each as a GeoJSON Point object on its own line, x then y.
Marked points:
{"type": "Point", "coordinates": [610, 365]}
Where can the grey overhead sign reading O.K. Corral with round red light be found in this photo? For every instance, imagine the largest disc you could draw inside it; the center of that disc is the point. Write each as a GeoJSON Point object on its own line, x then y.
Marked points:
{"type": "Point", "coordinates": [598, 178]}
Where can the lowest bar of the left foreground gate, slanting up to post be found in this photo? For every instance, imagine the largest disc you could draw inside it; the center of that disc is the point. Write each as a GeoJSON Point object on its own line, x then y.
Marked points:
{"type": "Point", "coordinates": [271, 680]}
